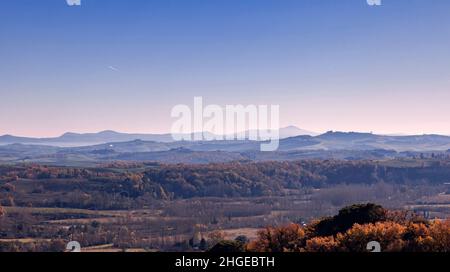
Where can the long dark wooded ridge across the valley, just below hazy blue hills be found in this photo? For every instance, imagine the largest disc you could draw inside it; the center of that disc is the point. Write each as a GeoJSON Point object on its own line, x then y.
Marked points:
{"type": "Point", "coordinates": [181, 181]}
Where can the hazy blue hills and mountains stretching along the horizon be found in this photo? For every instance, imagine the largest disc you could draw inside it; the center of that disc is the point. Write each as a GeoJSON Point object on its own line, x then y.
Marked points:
{"type": "Point", "coordinates": [113, 146]}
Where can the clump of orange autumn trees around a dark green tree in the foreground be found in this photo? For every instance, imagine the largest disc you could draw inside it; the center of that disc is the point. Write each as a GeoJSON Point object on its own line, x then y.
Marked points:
{"type": "Point", "coordinates": [353, 228]}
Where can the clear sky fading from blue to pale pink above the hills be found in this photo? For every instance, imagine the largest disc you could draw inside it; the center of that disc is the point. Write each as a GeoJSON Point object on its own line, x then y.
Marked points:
{"type": "Point", "coordinates": [124, 64]}
